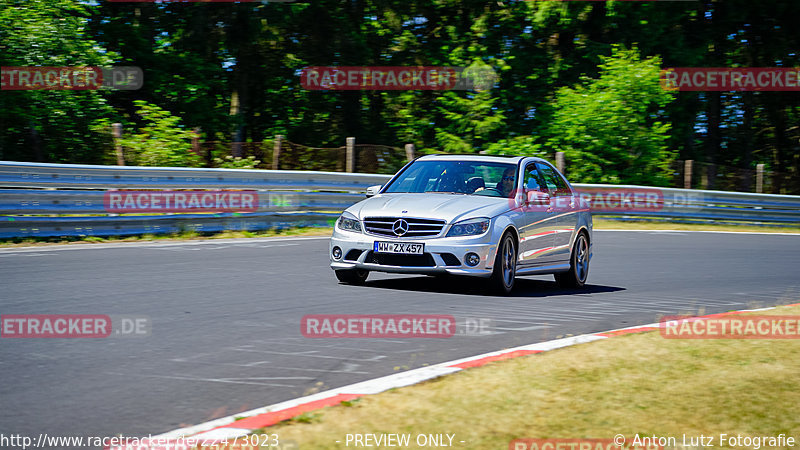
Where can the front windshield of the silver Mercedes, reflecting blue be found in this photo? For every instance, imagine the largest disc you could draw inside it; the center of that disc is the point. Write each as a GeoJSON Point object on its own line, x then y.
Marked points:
{"type": "Point", "coordinates": [457, 177]}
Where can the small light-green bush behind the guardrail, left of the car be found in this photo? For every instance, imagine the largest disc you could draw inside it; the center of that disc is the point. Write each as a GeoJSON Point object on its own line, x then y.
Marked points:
{"type": "Point", "coordinates": [161, 141]}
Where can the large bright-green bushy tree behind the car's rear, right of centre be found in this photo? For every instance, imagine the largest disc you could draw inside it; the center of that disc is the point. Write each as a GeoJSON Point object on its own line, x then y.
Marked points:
{"type": "Point", "coordinates": [612, 128]}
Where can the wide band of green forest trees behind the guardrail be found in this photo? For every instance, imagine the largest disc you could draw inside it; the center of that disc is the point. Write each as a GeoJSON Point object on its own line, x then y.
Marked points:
{"type": "Point", "coordinates": [233, 72]}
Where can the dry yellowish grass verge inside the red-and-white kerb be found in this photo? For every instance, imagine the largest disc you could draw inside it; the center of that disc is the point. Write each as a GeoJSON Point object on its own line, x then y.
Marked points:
{"type": "Point", "coordinates": [634, 384]}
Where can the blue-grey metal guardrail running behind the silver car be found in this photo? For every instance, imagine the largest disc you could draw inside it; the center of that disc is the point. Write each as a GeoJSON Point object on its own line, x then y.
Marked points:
{"type": "Point", "coordinates": [73, 197]}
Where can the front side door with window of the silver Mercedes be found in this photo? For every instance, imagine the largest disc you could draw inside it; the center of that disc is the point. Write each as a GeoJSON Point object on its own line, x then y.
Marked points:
{"type": "Point", "coordinates": [537, 239]}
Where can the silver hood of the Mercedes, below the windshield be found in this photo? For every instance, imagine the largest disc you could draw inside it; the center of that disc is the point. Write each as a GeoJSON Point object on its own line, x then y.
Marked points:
{"type": "Point", "coordinates": [450, 207]}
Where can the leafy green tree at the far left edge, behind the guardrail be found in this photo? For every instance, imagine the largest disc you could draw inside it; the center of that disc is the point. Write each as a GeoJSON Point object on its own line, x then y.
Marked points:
{"type": "Point", "coordinates": [50, 125]}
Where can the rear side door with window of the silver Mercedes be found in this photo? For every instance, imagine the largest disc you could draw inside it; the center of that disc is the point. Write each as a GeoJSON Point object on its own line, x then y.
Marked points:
{"type": "Point", "coordinates": [564, 210]}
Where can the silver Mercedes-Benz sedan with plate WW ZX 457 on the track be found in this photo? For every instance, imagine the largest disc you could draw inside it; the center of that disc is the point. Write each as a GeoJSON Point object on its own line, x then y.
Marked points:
{"type": "Point", "coordinates": [484, 216]}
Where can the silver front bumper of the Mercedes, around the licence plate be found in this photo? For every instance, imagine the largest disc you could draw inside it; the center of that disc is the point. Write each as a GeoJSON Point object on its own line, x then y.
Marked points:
{"type": "Point", "coordinates": [440, 254]}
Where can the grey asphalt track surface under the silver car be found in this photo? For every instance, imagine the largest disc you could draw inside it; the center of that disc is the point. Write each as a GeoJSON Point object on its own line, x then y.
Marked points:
{"type": "Point", "coordinates": [226, 320]}
